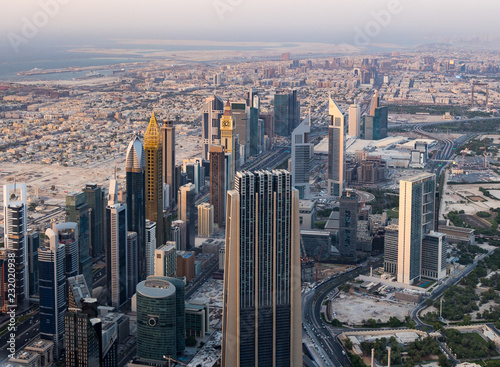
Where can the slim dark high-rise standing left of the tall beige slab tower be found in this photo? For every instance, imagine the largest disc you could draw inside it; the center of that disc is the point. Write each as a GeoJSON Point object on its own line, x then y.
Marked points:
{"type": "Point", "coordinates": [348, 224]}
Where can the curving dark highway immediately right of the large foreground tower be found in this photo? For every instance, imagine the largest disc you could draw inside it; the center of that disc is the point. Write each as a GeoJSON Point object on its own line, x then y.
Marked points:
{"type": "Point", "coordinates": [315, 327]}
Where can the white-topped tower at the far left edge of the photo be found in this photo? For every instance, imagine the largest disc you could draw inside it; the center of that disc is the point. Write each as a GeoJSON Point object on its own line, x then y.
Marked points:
{"type": "Point", "coordinates": [16, 233]}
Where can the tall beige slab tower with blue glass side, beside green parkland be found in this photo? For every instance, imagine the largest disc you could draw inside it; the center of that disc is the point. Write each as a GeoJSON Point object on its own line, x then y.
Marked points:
{"type": "Point", "coordinates": [416, 219]}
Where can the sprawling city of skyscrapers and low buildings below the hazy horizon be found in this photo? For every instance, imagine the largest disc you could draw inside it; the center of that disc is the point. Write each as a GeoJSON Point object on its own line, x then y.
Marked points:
{"type": "Point", "coordinates": [283, 210]}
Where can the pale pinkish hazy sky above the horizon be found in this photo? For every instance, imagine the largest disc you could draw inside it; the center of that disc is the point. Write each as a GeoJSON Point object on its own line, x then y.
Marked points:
{"type": "Point", "coordinates": [332, 21]}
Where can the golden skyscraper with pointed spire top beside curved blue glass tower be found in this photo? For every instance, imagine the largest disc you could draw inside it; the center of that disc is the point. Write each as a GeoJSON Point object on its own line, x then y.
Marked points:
{"type": "Point", "coordinates": [154, 178]}
